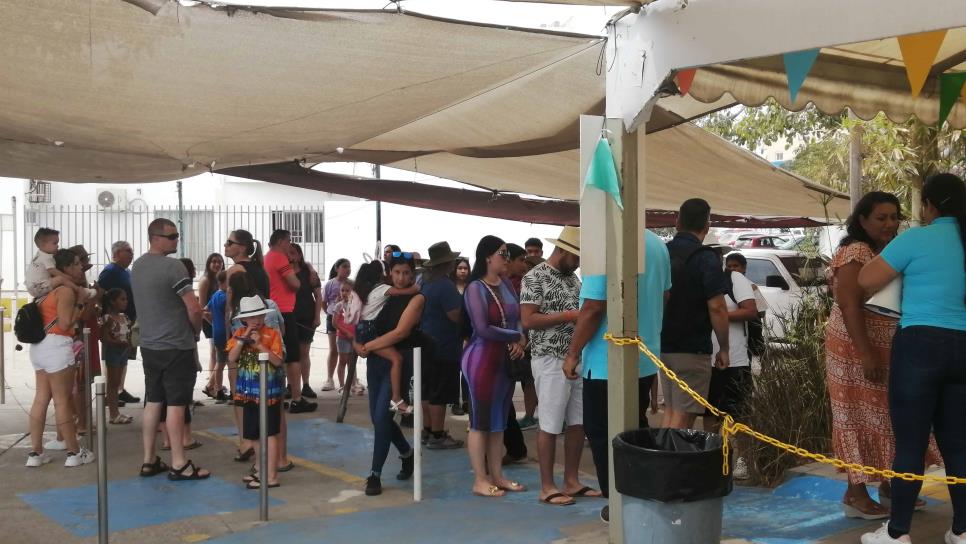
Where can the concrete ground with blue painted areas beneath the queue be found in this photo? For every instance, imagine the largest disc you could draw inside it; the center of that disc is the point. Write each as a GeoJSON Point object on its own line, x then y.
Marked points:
{"type": "Point", "coordinates": [322, 499]}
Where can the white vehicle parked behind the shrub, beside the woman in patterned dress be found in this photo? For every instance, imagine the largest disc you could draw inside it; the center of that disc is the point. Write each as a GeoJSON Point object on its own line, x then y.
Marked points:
{"type": "Point", "coordinates": [783, 277]}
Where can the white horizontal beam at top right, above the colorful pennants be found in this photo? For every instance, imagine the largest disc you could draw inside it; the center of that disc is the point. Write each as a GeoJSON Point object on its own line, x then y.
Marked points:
{"type": "Point", "coordinates": [669, 35]}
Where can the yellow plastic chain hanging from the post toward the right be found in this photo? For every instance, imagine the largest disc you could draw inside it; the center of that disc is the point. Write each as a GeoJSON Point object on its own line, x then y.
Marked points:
{"type": "Point", "coordinates": [731, 427]}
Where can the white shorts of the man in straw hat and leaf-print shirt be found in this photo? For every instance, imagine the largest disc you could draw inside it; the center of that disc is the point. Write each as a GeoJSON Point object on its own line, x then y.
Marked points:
{"type": "Point", "coordinates": [559, 400]}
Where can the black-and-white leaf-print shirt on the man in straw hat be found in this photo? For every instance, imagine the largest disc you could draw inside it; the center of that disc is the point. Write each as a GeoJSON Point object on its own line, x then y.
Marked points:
{"type": "Point", "coordinates": [552, 292]}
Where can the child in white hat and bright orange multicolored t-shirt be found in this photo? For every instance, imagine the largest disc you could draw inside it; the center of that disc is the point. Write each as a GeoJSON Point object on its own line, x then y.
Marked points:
{"type": "Point", "coordinates": [243, 350]}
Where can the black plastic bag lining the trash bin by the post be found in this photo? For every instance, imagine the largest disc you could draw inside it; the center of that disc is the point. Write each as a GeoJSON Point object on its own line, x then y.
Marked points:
{"type": "Point", "coordinates": [670, 465]}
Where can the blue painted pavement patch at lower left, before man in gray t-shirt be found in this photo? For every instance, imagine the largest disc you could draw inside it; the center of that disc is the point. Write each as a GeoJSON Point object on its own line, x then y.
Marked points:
{"type": "Point", "coordinates": [139, 502]}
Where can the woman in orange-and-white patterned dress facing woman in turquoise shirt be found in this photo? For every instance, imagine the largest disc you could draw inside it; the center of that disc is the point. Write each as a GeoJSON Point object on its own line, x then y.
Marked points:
{"type": "Point", "coordinates": [857, 347]}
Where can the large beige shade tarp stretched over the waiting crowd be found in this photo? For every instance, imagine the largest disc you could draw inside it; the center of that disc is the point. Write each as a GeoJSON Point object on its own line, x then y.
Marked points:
{"type": "Point", "coordinates": [107, 92]}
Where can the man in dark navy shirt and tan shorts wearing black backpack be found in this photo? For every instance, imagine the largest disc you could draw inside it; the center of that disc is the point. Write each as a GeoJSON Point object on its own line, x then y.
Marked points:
{"type": "Point", "coordinates": [695, 308]}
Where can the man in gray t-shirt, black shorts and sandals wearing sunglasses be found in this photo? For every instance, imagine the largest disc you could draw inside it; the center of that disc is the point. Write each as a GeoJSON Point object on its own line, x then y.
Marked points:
{"type": "Point", "coordinates": [170, 317]}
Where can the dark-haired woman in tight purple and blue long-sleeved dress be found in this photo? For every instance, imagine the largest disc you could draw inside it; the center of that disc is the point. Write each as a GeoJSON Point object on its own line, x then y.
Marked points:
{"type": "Point", "coordinates": [497, 334]}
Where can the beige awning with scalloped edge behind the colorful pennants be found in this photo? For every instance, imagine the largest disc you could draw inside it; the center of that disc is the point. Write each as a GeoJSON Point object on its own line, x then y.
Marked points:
{"type": "Point", "coordinates": [866, 77]}
